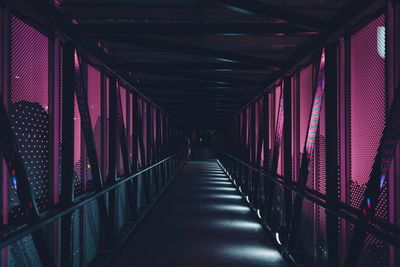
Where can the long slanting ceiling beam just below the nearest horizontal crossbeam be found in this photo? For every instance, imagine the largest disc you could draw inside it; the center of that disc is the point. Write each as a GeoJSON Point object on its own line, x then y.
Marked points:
{"type": "Point", "coordinates": [222, 55]}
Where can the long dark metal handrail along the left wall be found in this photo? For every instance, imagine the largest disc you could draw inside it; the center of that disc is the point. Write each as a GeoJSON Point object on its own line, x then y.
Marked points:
{"type": "Point", "coordinates": [9, 238]}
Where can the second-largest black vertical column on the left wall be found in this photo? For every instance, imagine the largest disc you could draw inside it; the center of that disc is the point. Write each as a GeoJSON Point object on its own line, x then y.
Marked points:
{"type": "Point", "coordinates": [112, 154]}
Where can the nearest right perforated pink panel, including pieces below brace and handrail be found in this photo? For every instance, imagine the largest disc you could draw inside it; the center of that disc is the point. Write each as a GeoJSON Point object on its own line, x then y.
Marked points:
{"type": "Point", "coordinates": [368, 108]}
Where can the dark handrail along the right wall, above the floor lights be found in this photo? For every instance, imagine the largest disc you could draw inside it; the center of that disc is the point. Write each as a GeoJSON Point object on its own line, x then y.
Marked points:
{"type": "Point", "coordinates": [391, 234]}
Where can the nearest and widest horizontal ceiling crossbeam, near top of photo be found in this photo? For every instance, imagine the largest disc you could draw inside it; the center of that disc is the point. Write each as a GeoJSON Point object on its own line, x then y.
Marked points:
{"type": "Point", "coordinates": [190, 28]}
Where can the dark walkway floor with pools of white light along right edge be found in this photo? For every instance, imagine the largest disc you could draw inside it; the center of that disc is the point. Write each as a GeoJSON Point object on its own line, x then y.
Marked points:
{"type": "Point", "coordinates": [200, 221]}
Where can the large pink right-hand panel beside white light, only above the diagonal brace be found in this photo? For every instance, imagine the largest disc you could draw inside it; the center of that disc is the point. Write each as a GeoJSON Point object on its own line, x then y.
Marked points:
{"type": "Point", "coordinates": [368, 104]}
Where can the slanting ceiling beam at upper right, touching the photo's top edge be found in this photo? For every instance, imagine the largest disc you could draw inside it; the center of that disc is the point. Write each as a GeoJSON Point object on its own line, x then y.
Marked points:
{"type": "Point", "coordinates": [262, 9]}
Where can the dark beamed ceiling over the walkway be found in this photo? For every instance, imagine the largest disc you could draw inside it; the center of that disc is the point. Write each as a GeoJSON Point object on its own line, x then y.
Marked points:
{"type": "Point", "coordinates": [203, 60]}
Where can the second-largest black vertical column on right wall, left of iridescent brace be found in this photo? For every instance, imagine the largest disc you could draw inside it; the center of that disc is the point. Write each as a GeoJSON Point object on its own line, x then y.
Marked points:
{"type": "Point", "coordinates": [287, 148]}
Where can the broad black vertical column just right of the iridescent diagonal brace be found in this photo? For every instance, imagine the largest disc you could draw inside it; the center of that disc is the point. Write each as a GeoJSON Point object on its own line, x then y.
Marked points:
{"type": "Point", "coordinates": [332, 168]}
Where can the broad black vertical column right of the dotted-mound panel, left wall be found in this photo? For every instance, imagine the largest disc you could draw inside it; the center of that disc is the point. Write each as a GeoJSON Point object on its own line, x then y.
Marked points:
{"type": "Point", "coordinates": [67, 150]}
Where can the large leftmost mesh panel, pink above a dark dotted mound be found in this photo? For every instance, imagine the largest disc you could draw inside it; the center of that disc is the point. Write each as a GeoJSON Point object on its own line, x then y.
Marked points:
{"type": "Point", "coordinates": [29, 108]}
